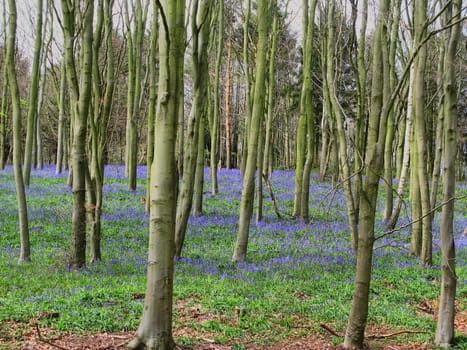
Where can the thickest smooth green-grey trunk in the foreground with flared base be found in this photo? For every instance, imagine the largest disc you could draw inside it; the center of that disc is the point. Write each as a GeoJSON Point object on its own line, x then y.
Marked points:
{"type": "Point", "coordinates": [155, 329]}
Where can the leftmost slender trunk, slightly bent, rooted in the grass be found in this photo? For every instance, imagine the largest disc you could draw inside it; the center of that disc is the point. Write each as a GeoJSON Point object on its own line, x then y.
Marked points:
{"type": "Point", "coordinates": [25, 251]}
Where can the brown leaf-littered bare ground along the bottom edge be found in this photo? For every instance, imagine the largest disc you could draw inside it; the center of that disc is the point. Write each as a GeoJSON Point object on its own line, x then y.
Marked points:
{"type": "Point", "coordinates": [30, 337]}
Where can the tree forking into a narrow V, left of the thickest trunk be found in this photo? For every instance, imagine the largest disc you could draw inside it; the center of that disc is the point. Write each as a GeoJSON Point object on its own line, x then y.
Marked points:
{"type": "Point", "coordinates": [80, 88]}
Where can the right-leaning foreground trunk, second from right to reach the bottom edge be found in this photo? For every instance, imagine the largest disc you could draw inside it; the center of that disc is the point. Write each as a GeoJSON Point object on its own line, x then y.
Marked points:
{"type": "Point", "coordinates": [374, 159]}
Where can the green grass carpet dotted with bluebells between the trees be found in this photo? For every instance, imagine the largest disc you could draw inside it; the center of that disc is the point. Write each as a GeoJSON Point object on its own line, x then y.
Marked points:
{"type": "Point", "coordinates": [296, 275]}
